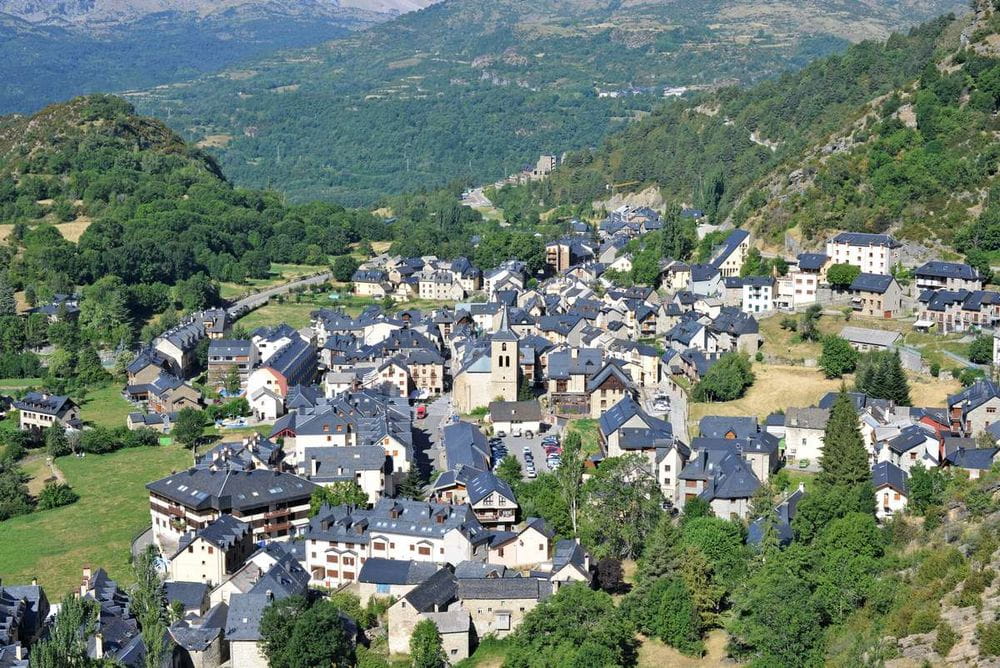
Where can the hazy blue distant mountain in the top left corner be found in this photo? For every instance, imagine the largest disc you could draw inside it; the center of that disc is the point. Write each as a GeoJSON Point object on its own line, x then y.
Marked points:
{"type": "Point", "coordinates": [54, 50]}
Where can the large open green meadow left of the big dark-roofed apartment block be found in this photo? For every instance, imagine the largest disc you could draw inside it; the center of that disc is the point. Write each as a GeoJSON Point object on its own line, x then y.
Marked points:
{"type": "Point", "coordinates": [97, 530]}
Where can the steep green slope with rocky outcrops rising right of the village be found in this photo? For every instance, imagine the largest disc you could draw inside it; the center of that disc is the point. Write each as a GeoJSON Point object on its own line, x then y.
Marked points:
{"type": "Point", "coordinates": [898, 136]}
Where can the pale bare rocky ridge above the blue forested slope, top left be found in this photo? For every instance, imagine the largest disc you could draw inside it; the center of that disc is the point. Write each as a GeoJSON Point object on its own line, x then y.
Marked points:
{"type": "Point", "coordinates": [105, 13]}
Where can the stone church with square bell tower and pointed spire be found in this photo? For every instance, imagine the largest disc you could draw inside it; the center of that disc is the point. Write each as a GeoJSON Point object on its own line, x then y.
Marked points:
{"type": "Point", "coordinates": [491, 372]}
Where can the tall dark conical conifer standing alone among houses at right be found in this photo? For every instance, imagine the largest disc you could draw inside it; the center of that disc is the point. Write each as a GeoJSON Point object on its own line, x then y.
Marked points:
{"type": "Point", "coordinates": [845, 460]}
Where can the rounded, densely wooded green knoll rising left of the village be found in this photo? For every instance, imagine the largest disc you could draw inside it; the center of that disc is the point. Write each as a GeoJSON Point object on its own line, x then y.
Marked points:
{"type": "Point", "coordinates": [155, 210]}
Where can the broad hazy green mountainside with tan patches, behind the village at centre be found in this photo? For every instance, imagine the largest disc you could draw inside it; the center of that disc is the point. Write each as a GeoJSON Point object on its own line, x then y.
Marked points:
{"type": "Point", "coordinates": [472, 89]}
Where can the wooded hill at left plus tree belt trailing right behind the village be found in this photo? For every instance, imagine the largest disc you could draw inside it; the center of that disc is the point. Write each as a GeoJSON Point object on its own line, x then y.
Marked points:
{"type": "Point", "coordinates": [159, 218]}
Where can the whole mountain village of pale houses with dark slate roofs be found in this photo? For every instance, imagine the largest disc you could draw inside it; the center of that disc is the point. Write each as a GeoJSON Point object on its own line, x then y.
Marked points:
{"type": "Point", "coordinates": [502, 370]}
